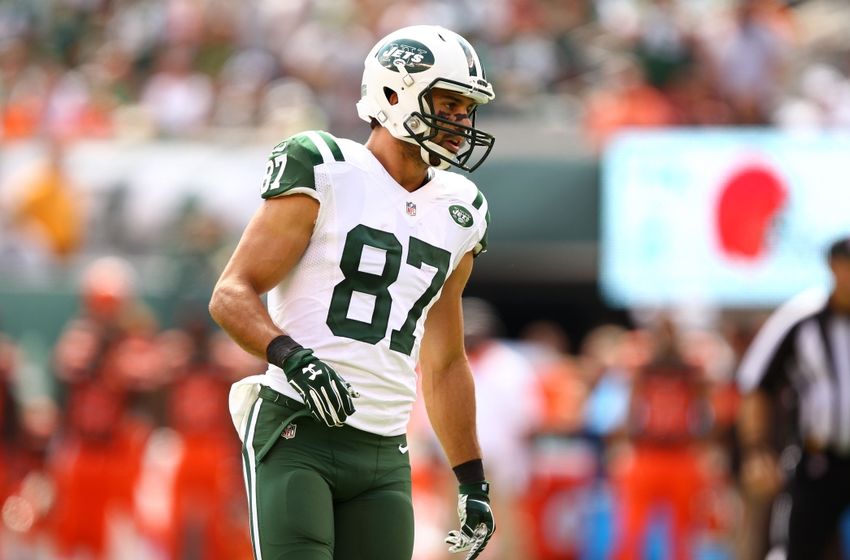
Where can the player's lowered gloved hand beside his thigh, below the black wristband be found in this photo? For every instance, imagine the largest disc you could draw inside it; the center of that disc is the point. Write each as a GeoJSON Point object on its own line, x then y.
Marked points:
{"type": "Point", "coordinates": [476, 520]}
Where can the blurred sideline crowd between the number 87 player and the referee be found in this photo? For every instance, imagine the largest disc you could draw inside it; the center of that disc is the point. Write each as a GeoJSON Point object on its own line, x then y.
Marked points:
{"type": "Point", "coordinates": [622, 446]}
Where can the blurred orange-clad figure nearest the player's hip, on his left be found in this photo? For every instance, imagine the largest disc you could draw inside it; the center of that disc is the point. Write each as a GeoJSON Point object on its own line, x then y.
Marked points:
{"type": "Point", "coordinates": [189, 497]}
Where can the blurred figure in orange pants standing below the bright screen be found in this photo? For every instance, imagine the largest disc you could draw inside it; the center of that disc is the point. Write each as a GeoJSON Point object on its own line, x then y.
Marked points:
{"type": "Point", "coordinates": [669, 416]}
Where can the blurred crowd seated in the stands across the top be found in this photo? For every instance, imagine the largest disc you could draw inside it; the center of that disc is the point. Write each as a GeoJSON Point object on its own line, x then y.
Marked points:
{"type": "Point", "coordinates": [262, 69]}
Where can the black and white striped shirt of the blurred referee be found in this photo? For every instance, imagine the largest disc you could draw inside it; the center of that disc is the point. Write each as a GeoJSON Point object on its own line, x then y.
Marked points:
{"type": "Point", "coordinates": [807, 344]}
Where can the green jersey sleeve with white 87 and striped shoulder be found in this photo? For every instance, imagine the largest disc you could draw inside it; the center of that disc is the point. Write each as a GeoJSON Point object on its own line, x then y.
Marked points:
{"type": "Point", "coordinates": [291, 165]}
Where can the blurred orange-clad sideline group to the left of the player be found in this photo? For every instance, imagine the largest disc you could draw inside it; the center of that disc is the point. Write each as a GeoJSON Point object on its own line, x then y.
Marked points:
{"type": "Point", "coordinates": [119, 445]}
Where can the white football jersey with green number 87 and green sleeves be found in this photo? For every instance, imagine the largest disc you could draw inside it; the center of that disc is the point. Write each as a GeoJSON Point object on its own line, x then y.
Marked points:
{"type": "Point", "coordinates": [376, 262]}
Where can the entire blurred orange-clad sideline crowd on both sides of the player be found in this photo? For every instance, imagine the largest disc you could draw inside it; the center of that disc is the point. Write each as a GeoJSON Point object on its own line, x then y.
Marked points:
{"type": "Point", "coordinates": [120, 446]}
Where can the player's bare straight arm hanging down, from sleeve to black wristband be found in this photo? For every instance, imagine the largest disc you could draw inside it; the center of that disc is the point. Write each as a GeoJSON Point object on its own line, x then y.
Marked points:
{"type": "Point", "coordinates": [447, 383]}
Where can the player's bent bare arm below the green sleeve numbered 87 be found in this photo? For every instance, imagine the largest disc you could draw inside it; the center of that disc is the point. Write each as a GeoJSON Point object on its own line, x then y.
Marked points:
{"type": "Point", "coordinates": [273, 242]}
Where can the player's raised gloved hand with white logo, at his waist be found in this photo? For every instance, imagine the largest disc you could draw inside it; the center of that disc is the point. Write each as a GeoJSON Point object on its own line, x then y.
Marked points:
{"type": "Point", "coordinates": [325, 393]}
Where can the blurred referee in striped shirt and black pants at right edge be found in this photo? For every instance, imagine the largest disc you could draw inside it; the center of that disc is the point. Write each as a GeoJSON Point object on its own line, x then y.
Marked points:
{"type": "Point", "coordinates": [803, 351]}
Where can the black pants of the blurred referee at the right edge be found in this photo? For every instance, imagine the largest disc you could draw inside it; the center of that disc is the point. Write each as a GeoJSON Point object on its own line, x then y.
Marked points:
{"type": "Point", "coordinates": [820, 492]}
